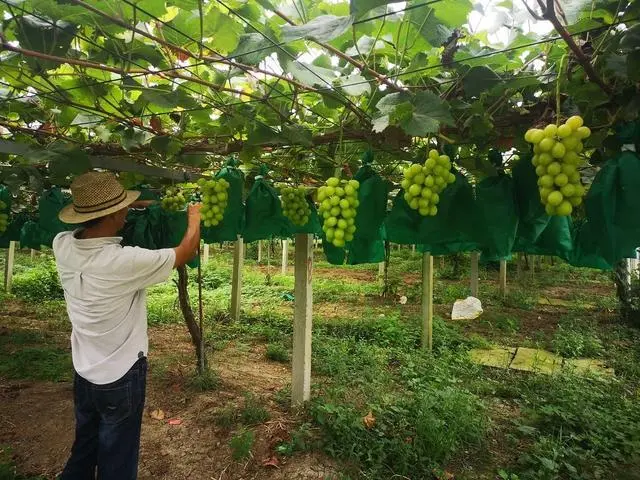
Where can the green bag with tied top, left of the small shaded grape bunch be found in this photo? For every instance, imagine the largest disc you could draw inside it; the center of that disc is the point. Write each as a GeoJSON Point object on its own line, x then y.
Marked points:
{"type": "Point", "coordinates": [263, 213]}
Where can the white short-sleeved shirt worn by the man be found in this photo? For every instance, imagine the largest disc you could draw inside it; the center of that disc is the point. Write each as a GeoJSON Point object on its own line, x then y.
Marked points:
{"type": "Point", "coordinates": [104, 287]}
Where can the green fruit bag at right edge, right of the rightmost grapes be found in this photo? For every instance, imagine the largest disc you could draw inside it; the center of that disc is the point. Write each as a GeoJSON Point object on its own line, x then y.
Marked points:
{"type": "Point", "coordinates": [613, 204]}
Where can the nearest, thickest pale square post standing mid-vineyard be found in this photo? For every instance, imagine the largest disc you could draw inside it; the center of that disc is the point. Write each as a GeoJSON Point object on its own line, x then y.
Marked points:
{"type": "Point", "coordinates": [302, 322]}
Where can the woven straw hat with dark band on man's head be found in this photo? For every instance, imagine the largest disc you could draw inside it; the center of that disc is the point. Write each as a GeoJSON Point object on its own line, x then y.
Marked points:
{"type": "Point", "coordinates": [95, 195]}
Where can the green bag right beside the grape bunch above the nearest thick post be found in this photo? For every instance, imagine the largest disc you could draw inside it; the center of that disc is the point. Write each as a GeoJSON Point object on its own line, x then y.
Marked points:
{"type": "Point", "coordinates": [367, 245]}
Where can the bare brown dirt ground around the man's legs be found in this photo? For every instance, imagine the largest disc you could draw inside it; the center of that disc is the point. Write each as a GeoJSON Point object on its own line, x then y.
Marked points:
{"type": "Point", "coordinates": [36, 419]}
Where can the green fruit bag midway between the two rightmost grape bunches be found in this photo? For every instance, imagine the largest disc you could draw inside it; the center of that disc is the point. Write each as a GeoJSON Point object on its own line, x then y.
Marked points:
{"type": "Point", "coordinates": [498, 214]}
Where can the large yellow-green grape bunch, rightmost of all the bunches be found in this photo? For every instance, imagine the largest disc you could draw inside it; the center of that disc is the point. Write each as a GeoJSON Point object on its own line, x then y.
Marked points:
{"type": "Point", "coordinates": [557, 159]}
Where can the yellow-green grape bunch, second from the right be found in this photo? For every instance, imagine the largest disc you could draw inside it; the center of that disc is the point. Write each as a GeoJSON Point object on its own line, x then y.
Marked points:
{"type": "Point", "coordinates": [423, 184]}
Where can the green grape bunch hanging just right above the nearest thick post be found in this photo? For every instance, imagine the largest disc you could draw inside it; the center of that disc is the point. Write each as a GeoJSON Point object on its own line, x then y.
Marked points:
{"type": "Point", "coordinates": [338, 205]}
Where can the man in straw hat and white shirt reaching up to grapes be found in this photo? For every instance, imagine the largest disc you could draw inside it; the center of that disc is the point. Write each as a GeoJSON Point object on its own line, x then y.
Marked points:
{"type": "Point", "coordinates": [104, 288]}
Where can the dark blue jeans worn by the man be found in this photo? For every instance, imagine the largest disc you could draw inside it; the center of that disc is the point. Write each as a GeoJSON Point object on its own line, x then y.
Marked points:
{"type": "Point", "coordinates": [108, 424]}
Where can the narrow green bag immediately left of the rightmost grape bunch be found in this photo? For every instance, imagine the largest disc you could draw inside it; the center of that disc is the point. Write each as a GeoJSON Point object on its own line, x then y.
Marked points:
{"type": "Point", "coordinates": [532, 218]}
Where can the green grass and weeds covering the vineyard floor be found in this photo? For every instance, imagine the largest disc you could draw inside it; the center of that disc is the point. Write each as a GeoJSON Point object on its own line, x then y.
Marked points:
{"type": "Point", "coordinates": [431, 410]}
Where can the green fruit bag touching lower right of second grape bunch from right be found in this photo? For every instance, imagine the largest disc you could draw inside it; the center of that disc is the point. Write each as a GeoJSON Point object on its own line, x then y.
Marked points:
{"type": "Point", "coordinates": [451, 230]}
